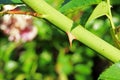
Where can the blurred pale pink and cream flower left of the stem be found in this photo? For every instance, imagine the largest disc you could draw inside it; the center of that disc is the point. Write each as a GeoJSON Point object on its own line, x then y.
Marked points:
{"type": "Point", "coordinates": [18, 27]}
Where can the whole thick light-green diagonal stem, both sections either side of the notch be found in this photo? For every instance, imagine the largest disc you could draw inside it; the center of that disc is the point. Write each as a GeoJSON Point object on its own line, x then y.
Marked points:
{"type": "Point", "coordinates": [81, 34]}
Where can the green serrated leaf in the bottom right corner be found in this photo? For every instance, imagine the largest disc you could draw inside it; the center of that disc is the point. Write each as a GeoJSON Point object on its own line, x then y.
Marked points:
{"type": "Point", "coordinates": [112, 73]}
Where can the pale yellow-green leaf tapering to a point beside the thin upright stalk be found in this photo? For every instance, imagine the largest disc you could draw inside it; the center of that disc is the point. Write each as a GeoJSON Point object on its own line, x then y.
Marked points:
{"type": "Point", "coordinates": [101, 9]}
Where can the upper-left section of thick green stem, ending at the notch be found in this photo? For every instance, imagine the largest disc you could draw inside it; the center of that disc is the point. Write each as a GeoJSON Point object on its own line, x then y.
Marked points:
{"type": "Point", "coordinates": [41, 7]}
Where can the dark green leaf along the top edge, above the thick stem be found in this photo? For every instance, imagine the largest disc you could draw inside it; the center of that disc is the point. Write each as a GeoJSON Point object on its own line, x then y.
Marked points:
{"type": "Point", "coordinates": [77, 4]}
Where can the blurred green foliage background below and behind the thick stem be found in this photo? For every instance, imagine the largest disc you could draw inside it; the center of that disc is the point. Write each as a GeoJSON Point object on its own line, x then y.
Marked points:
{"type": "Point", "coordinates": [49, 56]}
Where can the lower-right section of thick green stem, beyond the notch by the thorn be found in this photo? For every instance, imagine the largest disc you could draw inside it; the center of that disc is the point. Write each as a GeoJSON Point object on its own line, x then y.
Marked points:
{"type": "Point", "coordinates": [96, 43]}
